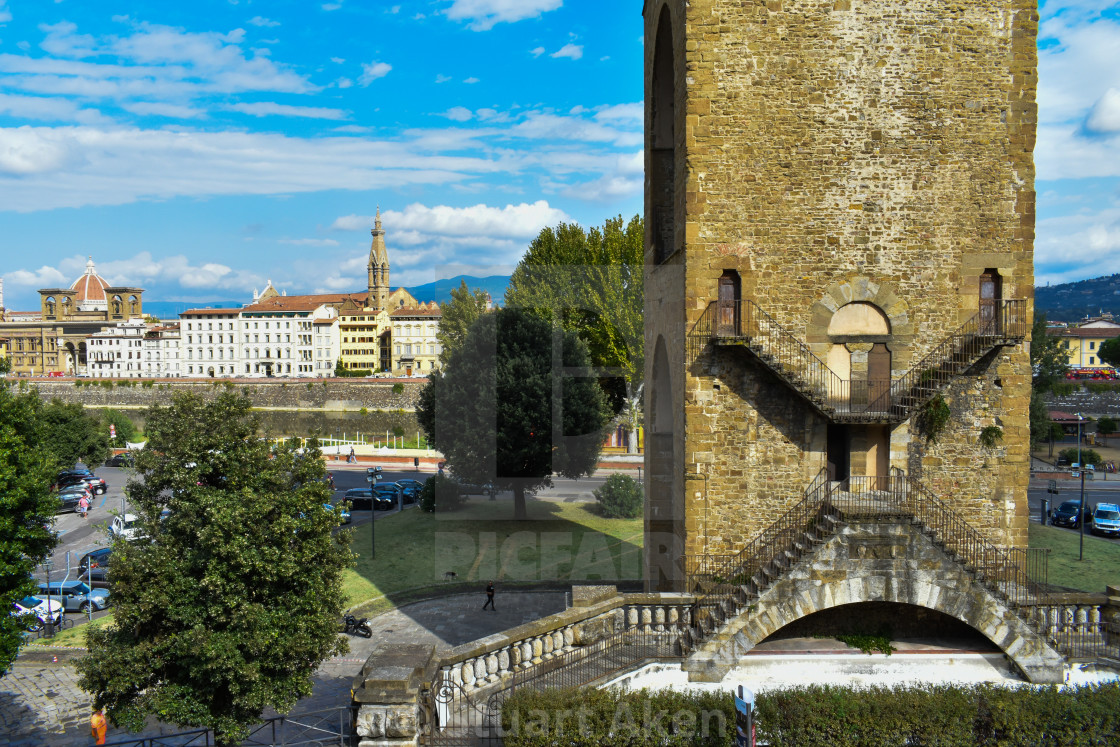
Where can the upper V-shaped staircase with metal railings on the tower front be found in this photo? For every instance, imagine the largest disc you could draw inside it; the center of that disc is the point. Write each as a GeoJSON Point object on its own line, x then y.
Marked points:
{"type": "Point", "coordinates": [745, 323]}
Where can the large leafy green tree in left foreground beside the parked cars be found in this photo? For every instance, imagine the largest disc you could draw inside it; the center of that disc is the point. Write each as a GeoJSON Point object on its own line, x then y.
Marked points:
{"type": "Point", "coordinates": [236, 600]}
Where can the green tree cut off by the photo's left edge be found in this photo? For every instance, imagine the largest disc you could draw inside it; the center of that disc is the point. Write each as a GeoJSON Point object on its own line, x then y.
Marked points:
{"type": "Point", "coordinates": [27, 507]}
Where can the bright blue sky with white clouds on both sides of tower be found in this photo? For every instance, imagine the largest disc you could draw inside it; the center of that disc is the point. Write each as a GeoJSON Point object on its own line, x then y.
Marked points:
{"type": "Point", "coordinates": [200, 150]}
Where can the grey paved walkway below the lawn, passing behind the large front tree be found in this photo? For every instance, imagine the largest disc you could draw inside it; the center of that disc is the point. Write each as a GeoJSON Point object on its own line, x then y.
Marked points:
{"type": "Point", "coordinates": [42, 704]}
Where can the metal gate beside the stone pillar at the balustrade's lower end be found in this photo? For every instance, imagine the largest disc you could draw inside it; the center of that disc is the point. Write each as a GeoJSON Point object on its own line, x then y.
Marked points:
{"type": "Point", "coordinates": [451, 717]}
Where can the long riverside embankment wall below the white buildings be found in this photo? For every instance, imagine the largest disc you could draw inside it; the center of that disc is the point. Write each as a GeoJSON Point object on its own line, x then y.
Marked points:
{"type": "Point", "coordinates": [320, 395]}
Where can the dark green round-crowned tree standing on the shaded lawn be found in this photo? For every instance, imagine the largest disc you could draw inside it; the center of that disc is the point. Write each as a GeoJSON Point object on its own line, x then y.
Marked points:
{"type": "Point", "coordinates": [493, 409]}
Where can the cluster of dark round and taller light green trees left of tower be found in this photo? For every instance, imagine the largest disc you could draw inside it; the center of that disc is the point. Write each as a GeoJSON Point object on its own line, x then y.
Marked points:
{"type": "Point", "coordinates": [528, 391]}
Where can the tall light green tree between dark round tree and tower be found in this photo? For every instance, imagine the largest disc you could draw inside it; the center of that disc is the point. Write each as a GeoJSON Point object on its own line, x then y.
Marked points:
{"type": "Point", "coordinates": [593, 282]}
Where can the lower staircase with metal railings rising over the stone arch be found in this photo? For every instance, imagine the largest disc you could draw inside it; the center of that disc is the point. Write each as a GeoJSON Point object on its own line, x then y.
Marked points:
{"type": "Point", "coordinates": [725, 585]}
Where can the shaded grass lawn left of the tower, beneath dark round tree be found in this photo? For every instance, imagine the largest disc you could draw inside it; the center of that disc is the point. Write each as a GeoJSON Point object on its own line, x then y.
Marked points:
{"type": "Point", "coordinates": [559, 541]}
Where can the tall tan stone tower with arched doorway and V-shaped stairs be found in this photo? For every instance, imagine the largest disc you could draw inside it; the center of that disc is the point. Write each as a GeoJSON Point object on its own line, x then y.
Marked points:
{"type": "Point", "coordinates": [839, 274]}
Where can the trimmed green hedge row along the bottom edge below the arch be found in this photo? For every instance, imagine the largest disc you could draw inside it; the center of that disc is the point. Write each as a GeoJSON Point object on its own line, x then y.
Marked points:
{"type": "Point", "coordinates": [822, 716]}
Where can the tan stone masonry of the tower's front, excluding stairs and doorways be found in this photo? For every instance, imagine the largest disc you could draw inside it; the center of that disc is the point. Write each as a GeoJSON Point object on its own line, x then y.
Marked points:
{"type": "Point", "coordinates": [820, 143]}
